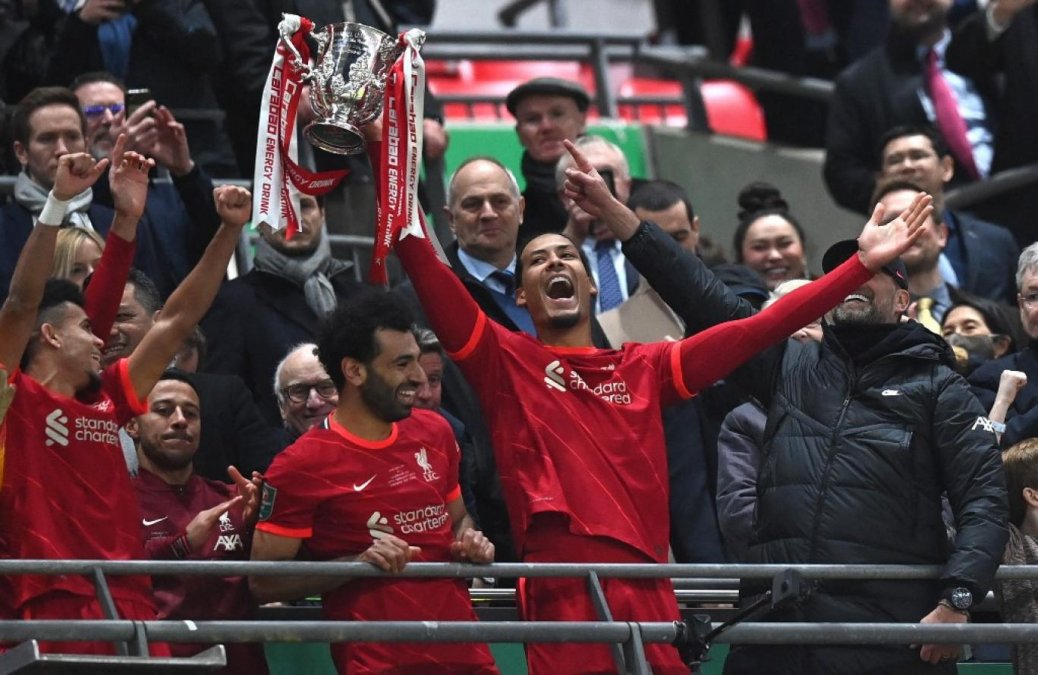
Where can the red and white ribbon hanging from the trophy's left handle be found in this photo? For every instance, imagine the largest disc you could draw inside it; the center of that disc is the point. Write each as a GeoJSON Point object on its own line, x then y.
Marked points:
{"type": "Point", "coordinates": [279, 179]}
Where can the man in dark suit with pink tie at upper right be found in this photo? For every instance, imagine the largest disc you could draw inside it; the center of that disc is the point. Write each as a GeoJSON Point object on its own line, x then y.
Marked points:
{"type": "Point", "coordinates": [905, 82]}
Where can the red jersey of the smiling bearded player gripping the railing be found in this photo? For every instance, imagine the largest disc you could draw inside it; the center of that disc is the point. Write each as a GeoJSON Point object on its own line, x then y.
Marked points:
{"type": "Point", "coordinates": [340, 493]}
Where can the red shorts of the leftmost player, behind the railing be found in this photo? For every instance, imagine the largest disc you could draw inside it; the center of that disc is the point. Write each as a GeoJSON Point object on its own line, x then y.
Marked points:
{"type": "Point", "coordinates": [67, 606]}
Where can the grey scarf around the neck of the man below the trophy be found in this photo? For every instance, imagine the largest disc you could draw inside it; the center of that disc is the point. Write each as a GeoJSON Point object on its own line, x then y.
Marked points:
{"type": "Point", "coordinates": [311, 273]}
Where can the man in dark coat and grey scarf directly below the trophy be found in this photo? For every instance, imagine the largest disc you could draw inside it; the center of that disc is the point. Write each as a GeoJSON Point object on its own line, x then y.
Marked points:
{"type": "Point", "coordinates": [257, 318]}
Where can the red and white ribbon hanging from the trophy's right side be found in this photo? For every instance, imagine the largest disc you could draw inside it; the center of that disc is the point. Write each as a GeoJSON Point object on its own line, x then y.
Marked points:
{"type": "Point", "coordinates": [399, 212]}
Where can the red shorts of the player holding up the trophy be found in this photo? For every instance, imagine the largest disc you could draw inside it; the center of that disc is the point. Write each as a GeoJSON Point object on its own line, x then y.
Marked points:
{"type": "Point", "coordinates": [569, 600]}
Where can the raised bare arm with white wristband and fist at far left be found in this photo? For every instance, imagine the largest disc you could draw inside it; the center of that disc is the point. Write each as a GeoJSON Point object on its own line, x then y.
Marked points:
{"type": "Point", "coordinates": [76, 173]}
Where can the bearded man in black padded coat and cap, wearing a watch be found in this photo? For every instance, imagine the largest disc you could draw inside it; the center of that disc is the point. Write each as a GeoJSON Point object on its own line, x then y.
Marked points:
{"type": "Point", "coordinates": [865, 431]}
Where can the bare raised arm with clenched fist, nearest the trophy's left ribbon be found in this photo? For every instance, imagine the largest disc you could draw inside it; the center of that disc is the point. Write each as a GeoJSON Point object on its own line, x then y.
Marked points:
{"type": "Point", "coordinates": [189, 303]}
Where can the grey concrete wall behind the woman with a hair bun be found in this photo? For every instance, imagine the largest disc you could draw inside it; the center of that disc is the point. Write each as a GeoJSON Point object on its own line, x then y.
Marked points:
{"type": "Point", "coordinates": [715, 169]}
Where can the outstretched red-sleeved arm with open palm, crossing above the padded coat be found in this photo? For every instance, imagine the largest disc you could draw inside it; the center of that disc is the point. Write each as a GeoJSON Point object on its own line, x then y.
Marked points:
{"type": "Point", "coordinates": [713, 355]}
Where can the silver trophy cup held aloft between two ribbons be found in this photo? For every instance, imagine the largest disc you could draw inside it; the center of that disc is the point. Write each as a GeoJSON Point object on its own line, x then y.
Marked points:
{"type": "Point", "coordinates": [347, 84]}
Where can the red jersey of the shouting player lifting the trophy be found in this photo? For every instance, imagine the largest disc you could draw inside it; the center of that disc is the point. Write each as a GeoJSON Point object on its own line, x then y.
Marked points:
{"type": "Point", "coordinates": [592, 447]}
